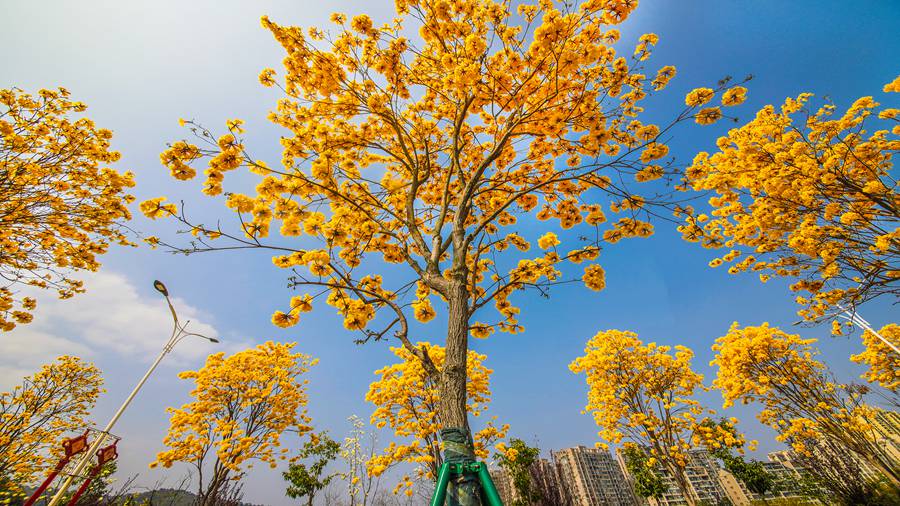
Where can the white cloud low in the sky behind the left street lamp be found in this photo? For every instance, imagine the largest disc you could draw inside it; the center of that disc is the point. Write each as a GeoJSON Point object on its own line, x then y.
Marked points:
{"type": "Point", "coordinates": [112, 317]}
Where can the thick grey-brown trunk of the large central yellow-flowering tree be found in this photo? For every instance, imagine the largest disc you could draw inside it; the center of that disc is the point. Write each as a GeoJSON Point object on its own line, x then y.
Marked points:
{"type": "Point", "coordinates": [455, 433]}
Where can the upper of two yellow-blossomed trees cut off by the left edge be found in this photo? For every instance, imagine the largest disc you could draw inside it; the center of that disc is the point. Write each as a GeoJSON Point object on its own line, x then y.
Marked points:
{"type": "Point", "coordinates": [61, 206]}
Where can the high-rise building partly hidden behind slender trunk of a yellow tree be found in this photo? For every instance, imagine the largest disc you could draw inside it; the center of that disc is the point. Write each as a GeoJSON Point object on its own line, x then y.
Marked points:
{"type": "Point", "coordinates": [702, 473]}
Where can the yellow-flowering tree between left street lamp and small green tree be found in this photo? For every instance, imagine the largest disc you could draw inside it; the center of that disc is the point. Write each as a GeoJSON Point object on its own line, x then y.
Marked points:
{"type": "Point", "coordinates": [242, 406]}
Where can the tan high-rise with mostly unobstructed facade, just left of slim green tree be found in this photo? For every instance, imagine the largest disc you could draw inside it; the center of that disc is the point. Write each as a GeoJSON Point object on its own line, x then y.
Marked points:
{"type": "Point", "coordinates": [593, 477]}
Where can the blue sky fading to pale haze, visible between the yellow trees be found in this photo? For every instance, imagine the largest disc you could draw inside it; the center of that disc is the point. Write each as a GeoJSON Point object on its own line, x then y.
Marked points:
{"type": "Point", "coordinates": [140, 66]}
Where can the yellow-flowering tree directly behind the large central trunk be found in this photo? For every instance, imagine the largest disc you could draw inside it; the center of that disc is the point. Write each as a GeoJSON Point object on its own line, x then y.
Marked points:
{"type": "Point", "coordinates": [406, 400]}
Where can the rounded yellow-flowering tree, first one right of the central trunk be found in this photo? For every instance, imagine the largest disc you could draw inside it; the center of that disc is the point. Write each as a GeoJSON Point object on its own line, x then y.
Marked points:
{"type": "Point", "coordinates": [644, 393]}
